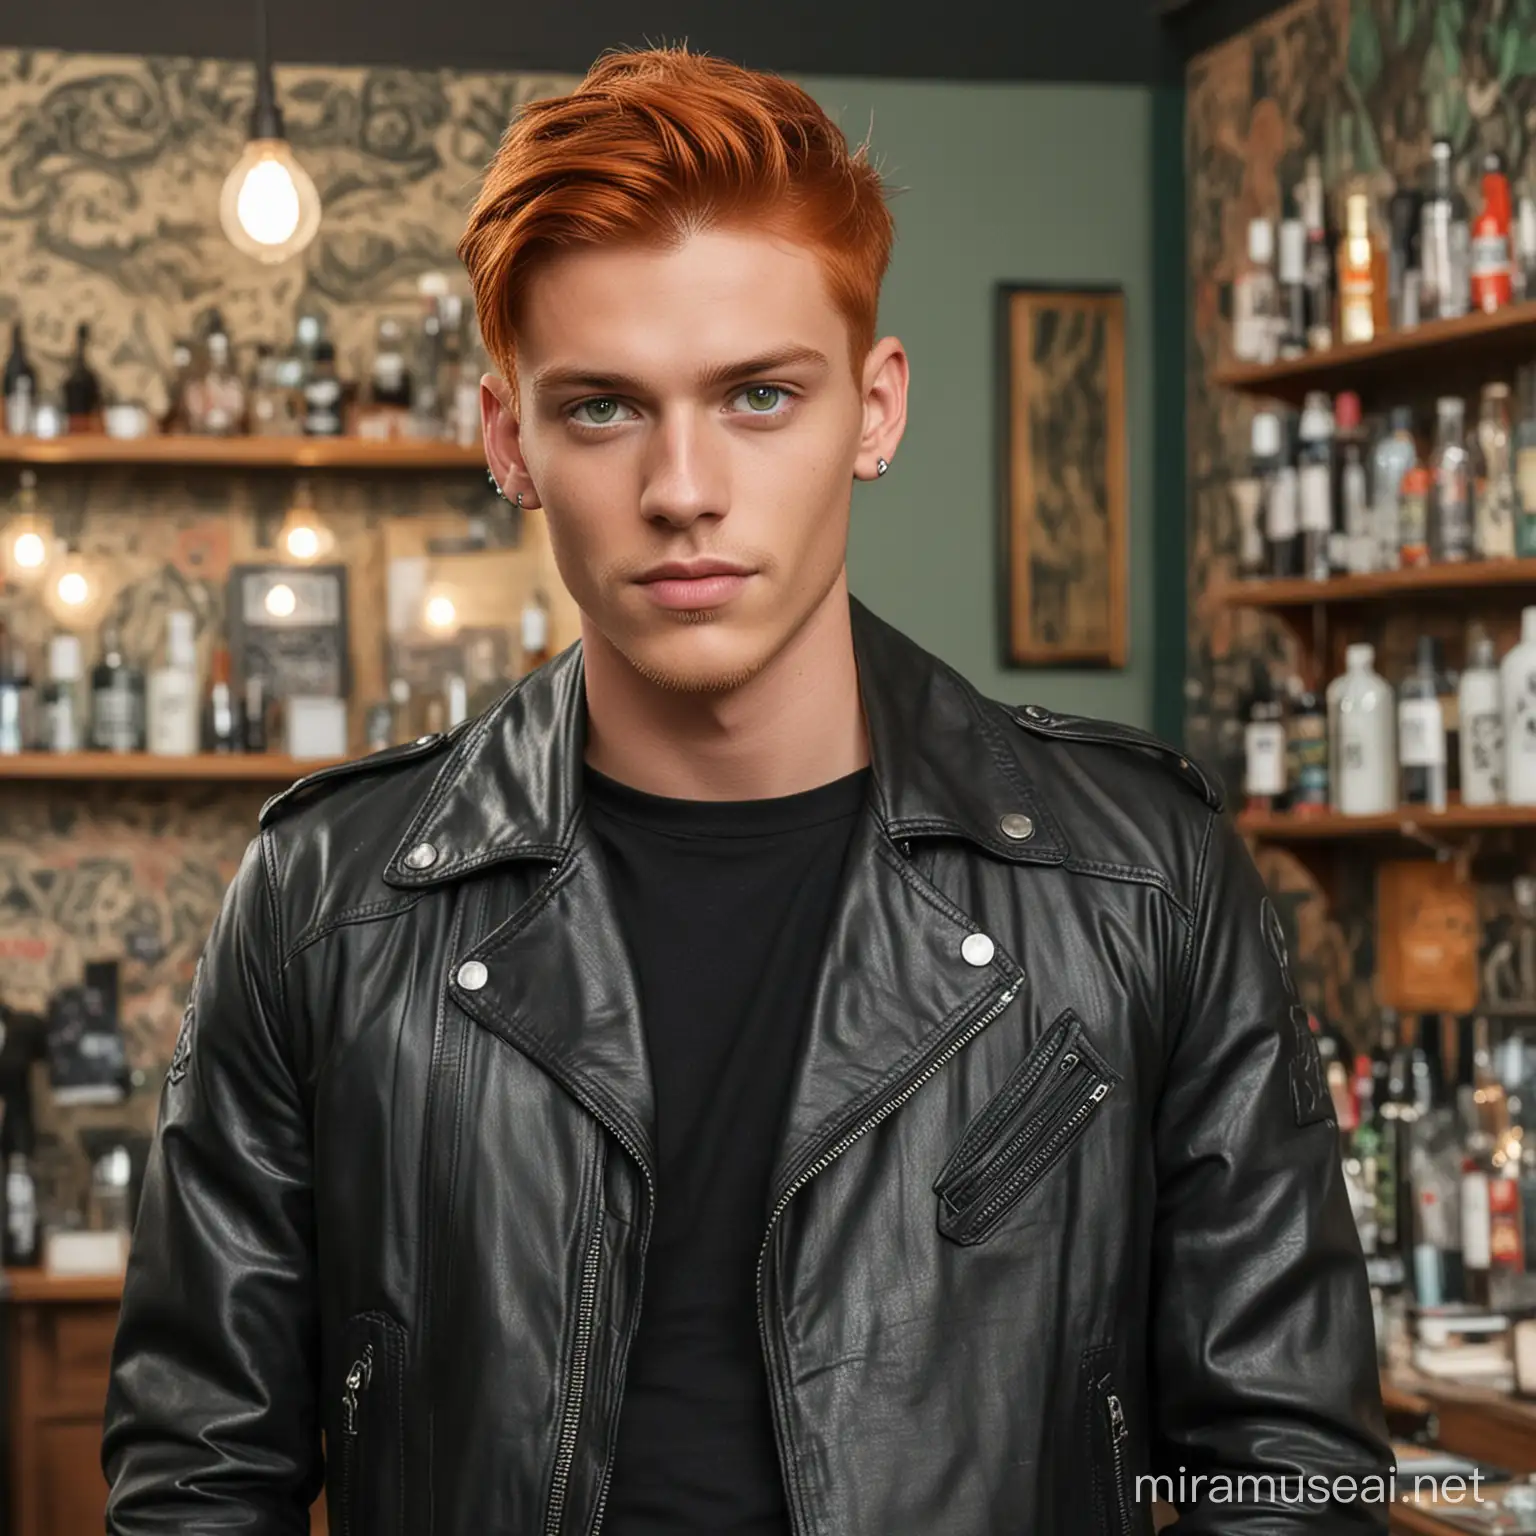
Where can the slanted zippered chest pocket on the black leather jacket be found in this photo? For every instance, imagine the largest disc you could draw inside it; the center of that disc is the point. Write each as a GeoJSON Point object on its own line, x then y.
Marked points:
{"type": "Point", "coordinates": [1047, 1104]}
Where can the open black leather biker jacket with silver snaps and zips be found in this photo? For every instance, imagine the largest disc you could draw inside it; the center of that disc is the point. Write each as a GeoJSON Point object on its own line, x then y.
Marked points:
{"type": "Point", "coordinates": [1058, 1202]}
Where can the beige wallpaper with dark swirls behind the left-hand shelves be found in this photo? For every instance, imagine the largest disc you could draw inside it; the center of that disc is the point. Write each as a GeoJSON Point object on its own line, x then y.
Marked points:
{"type": "Point", "coordinates": [110, 180]}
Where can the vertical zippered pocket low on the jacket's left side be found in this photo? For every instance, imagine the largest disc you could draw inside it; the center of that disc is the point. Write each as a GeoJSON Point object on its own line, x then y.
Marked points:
{"type": "Point", "coordinates": [369, 1497]}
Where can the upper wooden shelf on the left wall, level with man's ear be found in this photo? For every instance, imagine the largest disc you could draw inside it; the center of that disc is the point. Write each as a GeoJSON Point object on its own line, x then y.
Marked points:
{"type": "Point", "coordinates": [305, 454]}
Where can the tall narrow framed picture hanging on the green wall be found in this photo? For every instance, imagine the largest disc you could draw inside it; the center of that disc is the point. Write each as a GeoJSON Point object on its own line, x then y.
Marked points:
{"type": "Point", "coordinates": [1064, 477]}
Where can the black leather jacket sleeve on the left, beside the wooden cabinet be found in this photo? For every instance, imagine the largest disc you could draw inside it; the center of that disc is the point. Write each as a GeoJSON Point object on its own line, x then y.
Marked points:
{"type": "Point", "coordinates": [213, 1412]}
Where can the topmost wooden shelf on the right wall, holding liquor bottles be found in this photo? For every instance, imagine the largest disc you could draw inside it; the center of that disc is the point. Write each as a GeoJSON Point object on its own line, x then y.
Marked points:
{"type": "Point", "coordinates": [1440, 357]}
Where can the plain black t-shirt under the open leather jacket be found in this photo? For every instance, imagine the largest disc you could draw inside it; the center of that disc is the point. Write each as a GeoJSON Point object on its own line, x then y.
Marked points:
{"type": "Point", "coordinates": [726, 909]}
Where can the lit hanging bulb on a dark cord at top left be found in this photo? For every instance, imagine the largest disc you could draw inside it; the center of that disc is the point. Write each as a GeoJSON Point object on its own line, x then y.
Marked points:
{"type": "Point", "coordinates": [270, 207]}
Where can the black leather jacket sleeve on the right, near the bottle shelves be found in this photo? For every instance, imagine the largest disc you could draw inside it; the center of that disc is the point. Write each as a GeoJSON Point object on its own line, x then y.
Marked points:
{"type": "Point", "coordinates": [1263, 1351]}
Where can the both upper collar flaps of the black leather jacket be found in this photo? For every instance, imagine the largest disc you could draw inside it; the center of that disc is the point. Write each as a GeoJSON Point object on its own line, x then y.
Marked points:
{"type": "Point", "coordinates": [512, 786]}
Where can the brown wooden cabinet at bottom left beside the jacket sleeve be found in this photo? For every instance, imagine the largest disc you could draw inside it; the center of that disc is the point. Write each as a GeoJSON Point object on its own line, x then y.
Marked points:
{"type": "Point", "coordinates": [59, 1336]}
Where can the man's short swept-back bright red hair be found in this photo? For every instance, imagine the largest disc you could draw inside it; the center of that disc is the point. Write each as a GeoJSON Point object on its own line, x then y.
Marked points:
{"type": "Point", "coordinates": [657, 145]}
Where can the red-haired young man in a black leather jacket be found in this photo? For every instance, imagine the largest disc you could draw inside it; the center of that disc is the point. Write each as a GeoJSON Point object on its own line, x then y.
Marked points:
{"type": "Point", "coordinates": [747, 1084]}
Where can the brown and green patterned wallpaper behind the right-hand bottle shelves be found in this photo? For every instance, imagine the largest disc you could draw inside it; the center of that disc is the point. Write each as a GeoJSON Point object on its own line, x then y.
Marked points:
{"type": "Point", "coordinates": [1366, 84]}
